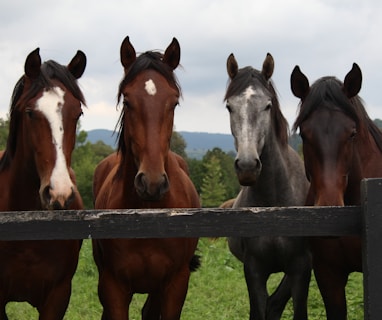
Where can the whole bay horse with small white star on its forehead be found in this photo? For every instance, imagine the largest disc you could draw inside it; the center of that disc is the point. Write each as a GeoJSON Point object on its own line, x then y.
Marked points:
{"type": "Point", "coordinates": [145, 173]}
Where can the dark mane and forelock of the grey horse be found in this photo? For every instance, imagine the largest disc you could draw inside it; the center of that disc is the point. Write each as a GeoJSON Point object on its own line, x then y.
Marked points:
{"type": "Point", "coordinates": [250, 76]}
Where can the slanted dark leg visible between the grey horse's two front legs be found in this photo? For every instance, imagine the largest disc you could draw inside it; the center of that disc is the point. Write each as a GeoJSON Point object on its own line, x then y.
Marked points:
{"type": "Point", "coordinates": [277, 301]}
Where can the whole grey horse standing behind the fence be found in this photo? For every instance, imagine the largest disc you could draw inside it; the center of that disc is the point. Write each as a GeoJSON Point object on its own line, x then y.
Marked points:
{"type": "Point", "coordinates": [271, 174]}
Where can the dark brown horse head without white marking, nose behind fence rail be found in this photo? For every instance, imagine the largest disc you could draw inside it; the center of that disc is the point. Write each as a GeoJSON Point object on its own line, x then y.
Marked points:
{"type": "Point", "coordinates": [330, 124]}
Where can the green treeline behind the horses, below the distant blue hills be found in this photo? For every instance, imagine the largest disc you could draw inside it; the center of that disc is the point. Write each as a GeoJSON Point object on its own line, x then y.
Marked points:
{"type": "Point", "coordinates": [214, 176]}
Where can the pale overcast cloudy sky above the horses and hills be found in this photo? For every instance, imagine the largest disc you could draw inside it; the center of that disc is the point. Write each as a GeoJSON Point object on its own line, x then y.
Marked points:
{"type": "Point", "coordinates": [323, 37]}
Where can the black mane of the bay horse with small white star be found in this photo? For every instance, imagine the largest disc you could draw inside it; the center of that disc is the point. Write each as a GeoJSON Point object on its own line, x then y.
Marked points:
{"type": "Point", "coordinates": [146, 61]}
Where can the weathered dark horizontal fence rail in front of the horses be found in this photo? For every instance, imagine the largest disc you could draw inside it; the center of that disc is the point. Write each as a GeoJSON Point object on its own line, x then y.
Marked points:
{"type": "Point", "coordinates": [160, 223]}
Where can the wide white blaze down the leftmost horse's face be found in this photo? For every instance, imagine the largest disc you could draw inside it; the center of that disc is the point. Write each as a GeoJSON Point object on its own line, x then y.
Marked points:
{"type": "Point", "coordinates": [50, 105]}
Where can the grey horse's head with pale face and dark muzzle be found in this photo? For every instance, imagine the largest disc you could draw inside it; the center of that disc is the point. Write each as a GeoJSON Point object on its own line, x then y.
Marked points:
{"type": "Point", "coordinates": [253, 107]}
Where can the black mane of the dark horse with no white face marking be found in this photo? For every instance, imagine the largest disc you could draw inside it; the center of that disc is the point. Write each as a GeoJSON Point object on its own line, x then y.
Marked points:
{"type": "Point", "coordinates": [327, 92]}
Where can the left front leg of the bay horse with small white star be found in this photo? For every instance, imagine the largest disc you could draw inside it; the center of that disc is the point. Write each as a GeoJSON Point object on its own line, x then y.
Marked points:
{"type": "Point", "coordinates": [114, 297]}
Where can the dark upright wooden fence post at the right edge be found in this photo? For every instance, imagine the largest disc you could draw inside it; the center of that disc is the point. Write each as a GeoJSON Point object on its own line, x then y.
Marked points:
{"type": "Point", "coordinates": [371, 192]}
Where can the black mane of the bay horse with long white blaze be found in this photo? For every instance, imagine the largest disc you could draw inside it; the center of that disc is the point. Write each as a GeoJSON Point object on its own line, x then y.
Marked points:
{"type": "Point", "coordinates": [49, 71]}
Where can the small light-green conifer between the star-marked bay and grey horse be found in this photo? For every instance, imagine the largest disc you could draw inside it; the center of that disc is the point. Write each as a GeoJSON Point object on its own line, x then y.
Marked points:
{"type": "Point", "coordinates": [213, 192]}
